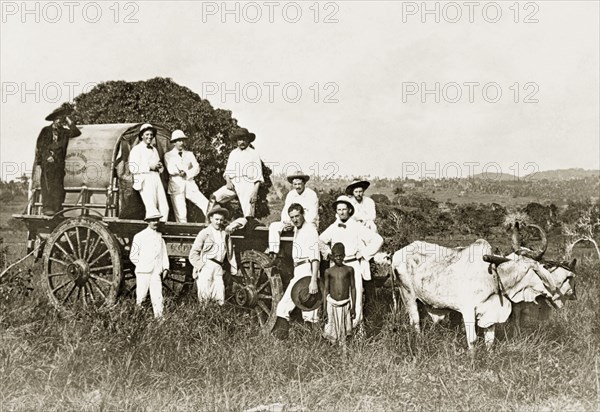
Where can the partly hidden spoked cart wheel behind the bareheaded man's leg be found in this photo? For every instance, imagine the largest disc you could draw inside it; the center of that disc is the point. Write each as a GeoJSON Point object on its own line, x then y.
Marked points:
{"type": "Point", "coordinates": [258, 287]}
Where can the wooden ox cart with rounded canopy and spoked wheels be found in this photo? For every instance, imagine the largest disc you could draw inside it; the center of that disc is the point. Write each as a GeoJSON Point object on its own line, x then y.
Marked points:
{"type": "Point", "coordinates": [85, 246]}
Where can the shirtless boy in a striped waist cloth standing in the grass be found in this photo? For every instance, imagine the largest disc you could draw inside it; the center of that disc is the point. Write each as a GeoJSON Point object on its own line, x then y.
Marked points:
{"type": "Point", "coordinates": [340, 295]}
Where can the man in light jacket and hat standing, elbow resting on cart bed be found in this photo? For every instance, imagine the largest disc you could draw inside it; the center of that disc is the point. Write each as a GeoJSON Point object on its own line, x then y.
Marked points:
{"type": "Point", "coordinates": [211, 254]}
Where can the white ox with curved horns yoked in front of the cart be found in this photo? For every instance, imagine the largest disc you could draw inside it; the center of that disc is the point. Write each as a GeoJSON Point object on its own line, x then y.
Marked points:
{"type": "Point", "coordinates": [483, 291]}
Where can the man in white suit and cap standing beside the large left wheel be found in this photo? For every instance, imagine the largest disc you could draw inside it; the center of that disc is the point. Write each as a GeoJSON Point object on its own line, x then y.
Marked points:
{"type": "Point", "coordinates": [149, 255]}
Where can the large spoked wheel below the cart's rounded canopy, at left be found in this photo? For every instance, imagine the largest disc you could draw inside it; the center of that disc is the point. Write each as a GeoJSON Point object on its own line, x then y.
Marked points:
{"type": "Point", "coordinates": [82, 265]}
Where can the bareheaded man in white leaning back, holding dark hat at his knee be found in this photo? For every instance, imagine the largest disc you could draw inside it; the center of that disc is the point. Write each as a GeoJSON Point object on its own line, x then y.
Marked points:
{"type": "Point", "coordinates": [305, 253]}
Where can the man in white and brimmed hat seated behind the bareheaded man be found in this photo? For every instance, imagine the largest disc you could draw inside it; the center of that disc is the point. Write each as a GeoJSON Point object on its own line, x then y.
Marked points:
{"type": "Point", "coordinates": [301, 195]}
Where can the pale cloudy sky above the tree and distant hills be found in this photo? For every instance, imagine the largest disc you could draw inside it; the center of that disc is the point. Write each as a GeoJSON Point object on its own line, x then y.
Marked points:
{"type": "Point", "coordinates": [345, 88]}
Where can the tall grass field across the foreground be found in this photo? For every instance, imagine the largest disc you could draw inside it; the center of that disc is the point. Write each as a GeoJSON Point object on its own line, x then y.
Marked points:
{"type": "Point", "coordinates": [211, 358]}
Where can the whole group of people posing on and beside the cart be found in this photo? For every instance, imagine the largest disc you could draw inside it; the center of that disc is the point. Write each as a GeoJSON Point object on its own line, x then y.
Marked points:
{"type": "Point", "coordinates": [351, 241]}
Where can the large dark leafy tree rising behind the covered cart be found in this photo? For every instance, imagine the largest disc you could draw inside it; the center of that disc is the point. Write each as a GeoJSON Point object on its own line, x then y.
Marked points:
{"type": "Point", "coordinates": [162, 101]}
